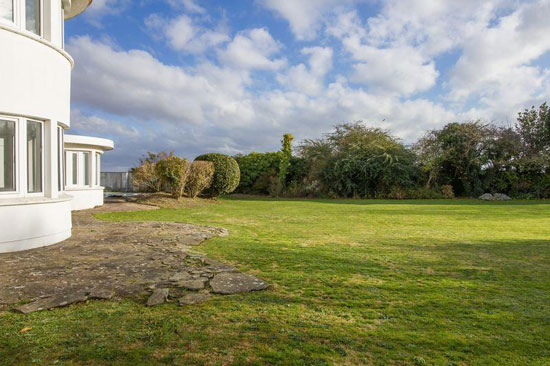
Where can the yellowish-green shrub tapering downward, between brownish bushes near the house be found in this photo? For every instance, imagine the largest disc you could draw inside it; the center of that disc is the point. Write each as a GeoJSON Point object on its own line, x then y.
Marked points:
{"type": "Point", "coordinates": [172, 171]}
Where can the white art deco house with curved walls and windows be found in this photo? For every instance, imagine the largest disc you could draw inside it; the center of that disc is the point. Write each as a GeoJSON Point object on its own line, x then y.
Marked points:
{"type": "Point", "coordinates": [35, 80]}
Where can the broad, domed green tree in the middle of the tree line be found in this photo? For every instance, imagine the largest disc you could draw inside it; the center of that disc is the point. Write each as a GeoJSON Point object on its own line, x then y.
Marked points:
{"type": "Point", "coordinates": [357, 161]}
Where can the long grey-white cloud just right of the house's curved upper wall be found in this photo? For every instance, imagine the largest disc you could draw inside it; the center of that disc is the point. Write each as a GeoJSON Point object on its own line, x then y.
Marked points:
{"type": "Point", "coordinates": [134, 83]}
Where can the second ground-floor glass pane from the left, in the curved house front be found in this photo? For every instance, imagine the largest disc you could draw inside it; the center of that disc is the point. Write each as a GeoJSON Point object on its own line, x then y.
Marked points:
{"type": "Point", "coordinates": [34, 156]}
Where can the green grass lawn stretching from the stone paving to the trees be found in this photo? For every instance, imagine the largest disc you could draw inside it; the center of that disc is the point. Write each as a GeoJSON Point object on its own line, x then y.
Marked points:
{"type": "Point", "coordinates": [353, 283]}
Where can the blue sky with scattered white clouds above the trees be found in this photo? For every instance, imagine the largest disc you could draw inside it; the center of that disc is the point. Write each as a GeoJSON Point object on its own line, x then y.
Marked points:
{"type": "Point", "coordinates": [198, 76]}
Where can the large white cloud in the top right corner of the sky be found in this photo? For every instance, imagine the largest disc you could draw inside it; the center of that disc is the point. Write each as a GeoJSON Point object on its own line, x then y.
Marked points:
{"type": "Point", "coordinates": [495, 65]}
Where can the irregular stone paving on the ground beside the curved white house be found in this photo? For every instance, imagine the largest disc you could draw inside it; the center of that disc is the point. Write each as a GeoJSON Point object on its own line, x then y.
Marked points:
{"type": "Point", "coordinates": [103, 260]}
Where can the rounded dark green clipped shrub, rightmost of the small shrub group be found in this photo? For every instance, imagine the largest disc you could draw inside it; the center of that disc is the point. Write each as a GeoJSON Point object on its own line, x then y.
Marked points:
{"type": "Point", "coordinates": [226, 173]}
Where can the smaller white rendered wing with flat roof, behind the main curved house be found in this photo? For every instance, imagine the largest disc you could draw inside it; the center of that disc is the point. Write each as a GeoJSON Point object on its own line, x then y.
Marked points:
{"type": "Point", "coordinates": [83, 168]}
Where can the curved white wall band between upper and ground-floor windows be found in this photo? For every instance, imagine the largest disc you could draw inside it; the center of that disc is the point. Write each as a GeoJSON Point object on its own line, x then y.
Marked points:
{"type": "Point", "coordinates": [35, 77]}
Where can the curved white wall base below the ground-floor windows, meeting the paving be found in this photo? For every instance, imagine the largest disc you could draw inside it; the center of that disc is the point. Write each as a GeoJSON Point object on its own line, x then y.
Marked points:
{"type": "Point", "coordinates": [33, 223]}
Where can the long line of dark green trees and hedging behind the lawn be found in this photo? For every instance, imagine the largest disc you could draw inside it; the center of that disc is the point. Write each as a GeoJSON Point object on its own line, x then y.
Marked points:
{"type": "Point", "coordinates": [357, 161]}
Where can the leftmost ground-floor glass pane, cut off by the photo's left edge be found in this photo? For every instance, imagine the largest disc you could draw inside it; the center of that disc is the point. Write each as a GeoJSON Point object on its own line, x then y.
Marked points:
{"type": "Point", "coordinates": [7, 156]}
